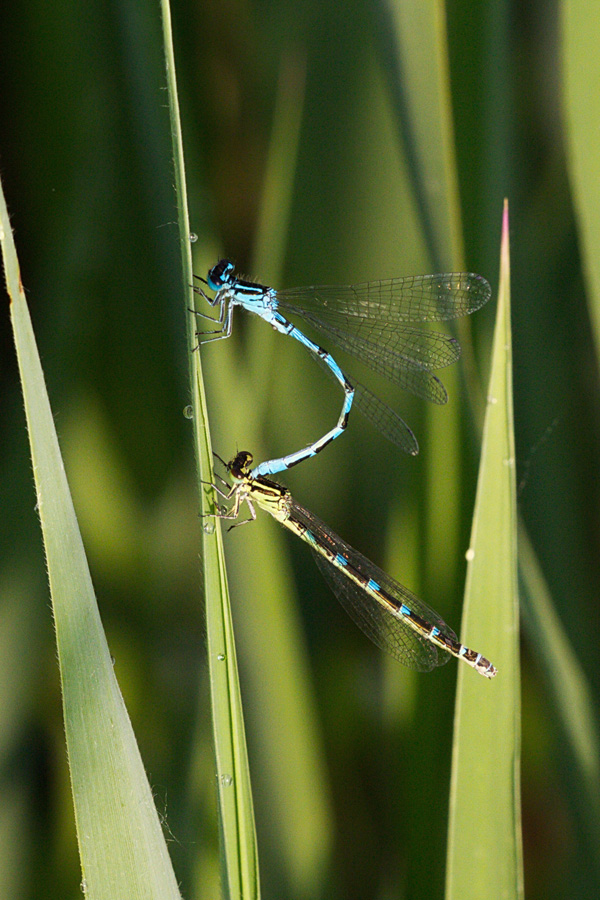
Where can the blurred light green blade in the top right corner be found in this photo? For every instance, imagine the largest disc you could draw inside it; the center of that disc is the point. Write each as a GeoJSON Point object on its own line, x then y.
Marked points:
{"type": "Point", "coordinates": [581, 71]}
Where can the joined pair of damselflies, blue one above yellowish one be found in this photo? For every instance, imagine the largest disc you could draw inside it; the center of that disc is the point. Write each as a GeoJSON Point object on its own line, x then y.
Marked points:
{"type": "Point", "coordinates": [374, 322]}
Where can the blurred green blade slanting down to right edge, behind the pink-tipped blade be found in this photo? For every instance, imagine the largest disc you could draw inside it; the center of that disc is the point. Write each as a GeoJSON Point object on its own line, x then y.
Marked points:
{"type": "Point", "coordinates": [572, 693]}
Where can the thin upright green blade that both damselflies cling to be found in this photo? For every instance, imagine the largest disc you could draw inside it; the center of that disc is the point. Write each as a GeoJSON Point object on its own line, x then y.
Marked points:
{"type": "Point", "coordinates": [239, 859]}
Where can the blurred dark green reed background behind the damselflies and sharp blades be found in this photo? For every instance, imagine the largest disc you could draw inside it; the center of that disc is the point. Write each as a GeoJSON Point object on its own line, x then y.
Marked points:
{"type": "Point", "coordinates": [308, 135]}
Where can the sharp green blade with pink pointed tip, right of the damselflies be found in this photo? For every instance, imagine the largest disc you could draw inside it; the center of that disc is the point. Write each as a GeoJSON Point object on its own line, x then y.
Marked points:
{"type": "Point", "coordinates": [484, 838]}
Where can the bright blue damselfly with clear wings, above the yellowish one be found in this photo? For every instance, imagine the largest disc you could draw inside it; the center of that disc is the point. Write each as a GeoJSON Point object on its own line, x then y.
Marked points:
{"type": "Point", "coordinates": [373, 322]}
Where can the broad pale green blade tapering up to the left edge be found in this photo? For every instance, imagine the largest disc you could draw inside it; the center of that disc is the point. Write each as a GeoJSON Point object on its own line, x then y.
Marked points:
{"type": "Point", "coordinates": [122, 849]}
